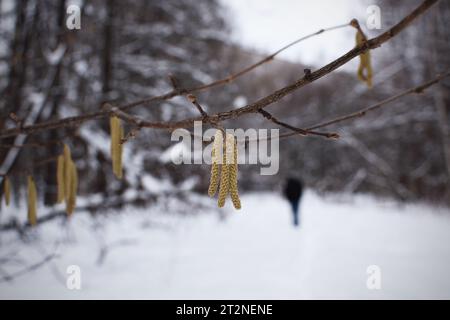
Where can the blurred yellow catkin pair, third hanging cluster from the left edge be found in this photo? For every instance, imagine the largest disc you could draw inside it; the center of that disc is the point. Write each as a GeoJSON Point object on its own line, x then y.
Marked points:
{"type": "Point", "coordinates": [67, 179]}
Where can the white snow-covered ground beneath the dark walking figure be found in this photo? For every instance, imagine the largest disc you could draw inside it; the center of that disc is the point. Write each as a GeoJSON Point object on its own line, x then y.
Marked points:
{"type": "Point", "coordinates": [252, 254]}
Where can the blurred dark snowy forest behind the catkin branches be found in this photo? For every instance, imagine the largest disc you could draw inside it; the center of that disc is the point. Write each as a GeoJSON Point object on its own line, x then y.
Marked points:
{"type": "Point", "coordinates": [127, 50]}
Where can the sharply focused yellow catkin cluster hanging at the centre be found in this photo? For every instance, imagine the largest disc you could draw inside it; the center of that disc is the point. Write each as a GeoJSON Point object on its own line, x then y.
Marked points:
{"type": "Point", "coordinates": [224, 169]}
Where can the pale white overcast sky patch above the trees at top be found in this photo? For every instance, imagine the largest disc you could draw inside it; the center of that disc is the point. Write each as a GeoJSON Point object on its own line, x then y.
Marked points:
{"type": "Point", "coordinates": [267, 25]}
